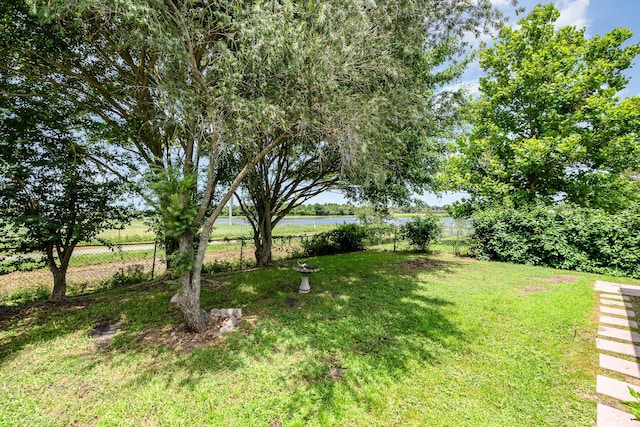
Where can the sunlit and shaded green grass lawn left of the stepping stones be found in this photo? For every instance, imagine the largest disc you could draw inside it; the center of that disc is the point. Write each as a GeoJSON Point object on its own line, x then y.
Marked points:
{"type": "Point", "coordinates": [442, 341]}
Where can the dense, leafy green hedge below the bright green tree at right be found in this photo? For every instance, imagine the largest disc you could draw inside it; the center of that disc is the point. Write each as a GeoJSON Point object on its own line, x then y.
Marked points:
{"type": "Point", "coordinates": [568, 237]}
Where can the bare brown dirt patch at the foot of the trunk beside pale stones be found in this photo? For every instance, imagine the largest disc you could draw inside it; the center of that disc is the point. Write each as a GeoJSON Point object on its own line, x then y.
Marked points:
{"type": "Point", "coordinates": [182, 340]}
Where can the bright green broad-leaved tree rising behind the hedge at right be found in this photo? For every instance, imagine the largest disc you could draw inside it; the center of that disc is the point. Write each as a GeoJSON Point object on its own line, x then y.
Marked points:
{"type": "Point", "coordinates": [549, 124]}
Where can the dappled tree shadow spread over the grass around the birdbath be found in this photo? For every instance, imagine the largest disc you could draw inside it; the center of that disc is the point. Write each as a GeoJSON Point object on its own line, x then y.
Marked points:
{"type": "Point", "coordinates": [370, 317]}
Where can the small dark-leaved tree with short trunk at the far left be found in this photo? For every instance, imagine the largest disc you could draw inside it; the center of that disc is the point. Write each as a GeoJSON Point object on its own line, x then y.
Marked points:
{"type": "Point", "coordinates": [56, 188]}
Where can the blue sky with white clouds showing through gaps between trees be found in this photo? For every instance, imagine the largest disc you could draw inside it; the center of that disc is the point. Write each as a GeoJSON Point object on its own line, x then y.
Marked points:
{"type": "Point", "coordinates": [597, 16]}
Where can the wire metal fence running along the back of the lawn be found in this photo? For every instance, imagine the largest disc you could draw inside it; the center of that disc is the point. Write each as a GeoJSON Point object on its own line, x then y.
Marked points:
{"type": "Point", "coordinates": [95, 266]}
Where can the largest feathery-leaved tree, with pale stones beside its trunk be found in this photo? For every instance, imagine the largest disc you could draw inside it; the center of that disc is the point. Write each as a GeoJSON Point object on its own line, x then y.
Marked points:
{"type": "Point", "coordinates": [187, 85]}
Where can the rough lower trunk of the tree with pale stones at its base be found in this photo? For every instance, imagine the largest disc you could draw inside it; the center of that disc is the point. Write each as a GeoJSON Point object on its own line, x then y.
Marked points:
{"type": "Point", "coordinates": [187, 300]}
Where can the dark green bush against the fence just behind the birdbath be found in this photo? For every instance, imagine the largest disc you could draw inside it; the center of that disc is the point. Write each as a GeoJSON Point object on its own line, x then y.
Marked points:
{"type": "Point", "coordinates": [344, 238]}
